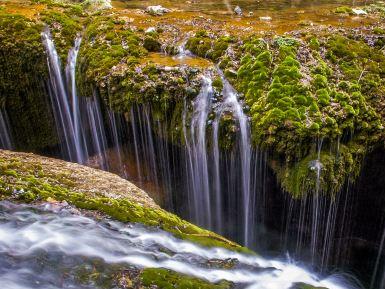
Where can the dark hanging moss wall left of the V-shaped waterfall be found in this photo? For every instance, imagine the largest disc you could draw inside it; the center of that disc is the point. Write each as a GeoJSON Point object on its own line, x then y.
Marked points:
{"type": "Point", "coordinates": [23, 68]}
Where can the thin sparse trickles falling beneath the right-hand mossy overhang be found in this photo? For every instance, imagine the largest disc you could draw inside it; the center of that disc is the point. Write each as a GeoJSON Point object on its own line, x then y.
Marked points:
{"type": "Point", "coordinates": [310, 223]}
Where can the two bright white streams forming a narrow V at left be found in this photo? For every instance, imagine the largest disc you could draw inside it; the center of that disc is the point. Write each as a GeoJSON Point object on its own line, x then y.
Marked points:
{"type": "Point", "coordinates": [65, 115]}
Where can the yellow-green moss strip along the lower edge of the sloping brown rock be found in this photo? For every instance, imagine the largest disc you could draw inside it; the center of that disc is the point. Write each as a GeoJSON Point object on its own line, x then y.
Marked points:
{"type": "Point", "coordinates": [28, 182]}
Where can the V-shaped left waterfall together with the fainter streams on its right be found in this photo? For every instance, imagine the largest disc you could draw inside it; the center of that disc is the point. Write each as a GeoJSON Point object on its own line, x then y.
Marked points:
{"type": "Point", "coordinates": [79, 120]}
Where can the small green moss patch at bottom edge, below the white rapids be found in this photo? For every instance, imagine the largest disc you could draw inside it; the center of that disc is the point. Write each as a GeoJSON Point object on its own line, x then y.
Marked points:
{"type": "Point", "coordinates": [167, 279]}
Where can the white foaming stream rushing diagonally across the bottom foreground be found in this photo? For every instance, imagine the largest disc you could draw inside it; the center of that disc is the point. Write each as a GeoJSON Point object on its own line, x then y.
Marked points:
{"type": "Point", "coordinates": [49, 245]}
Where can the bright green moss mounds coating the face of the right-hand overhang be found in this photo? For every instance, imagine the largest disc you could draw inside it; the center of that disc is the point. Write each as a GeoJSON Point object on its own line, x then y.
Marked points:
{"type": "Point", "coordinates": [289, 109]}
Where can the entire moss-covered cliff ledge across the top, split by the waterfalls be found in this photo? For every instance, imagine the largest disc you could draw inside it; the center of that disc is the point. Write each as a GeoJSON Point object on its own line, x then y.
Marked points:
{"type": "Point", "coordinates": [318, 84]}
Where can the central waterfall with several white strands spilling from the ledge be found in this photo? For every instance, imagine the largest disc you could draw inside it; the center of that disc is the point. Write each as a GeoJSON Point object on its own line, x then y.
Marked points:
{"type": "Point", "coordinates": [217, 179]}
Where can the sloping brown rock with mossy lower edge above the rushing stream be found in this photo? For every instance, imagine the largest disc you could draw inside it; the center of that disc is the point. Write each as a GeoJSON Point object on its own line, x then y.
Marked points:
{"type": "Point", "coordinates": [30, 178]}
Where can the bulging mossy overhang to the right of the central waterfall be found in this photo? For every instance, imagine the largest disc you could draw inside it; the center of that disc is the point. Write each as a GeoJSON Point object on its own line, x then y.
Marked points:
{"type": "Point", "coordinates": [312, 89]}
